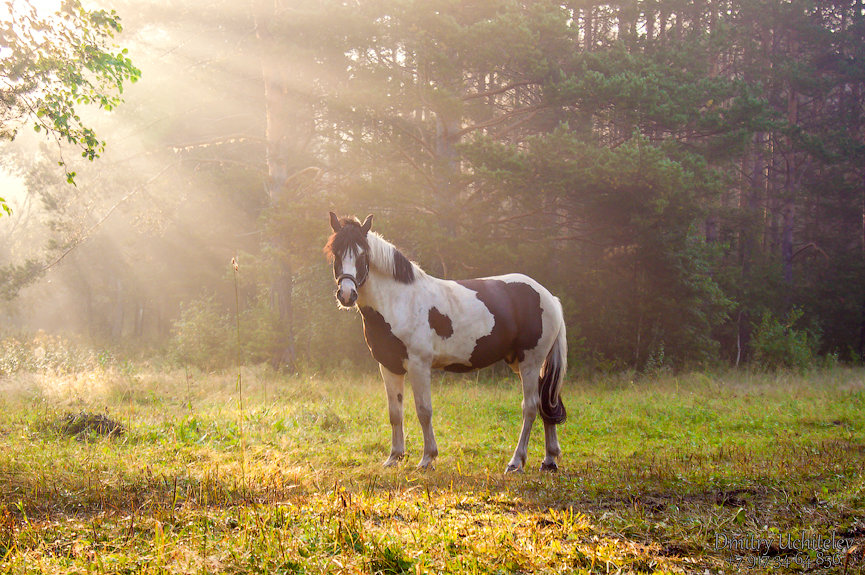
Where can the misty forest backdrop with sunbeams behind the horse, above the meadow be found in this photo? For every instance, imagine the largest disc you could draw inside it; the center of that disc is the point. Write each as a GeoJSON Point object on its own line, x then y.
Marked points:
{"type": "Point", "coordinates": [677, 171]}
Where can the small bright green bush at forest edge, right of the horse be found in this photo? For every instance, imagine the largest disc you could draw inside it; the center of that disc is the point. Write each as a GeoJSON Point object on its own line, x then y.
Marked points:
{"type": "Point", "coordinates": [778, 344]}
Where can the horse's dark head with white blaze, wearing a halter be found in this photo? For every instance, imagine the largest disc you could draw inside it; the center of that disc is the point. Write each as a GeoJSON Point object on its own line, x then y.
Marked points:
{"type": "Point", "coordinates": [348, 249]}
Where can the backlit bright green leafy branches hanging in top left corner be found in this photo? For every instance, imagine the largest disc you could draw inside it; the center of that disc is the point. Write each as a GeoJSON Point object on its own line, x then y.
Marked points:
{"type": "Point", "coordinates": [55, 63]}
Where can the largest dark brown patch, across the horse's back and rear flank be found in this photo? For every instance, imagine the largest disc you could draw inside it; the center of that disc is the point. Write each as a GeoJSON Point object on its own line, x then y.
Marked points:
{"type": "Point", "coordinates": [518, 316]}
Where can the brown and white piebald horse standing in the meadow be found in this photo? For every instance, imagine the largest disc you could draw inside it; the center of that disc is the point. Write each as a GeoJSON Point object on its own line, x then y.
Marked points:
{"type": "Point", "coordinates": [414, 322]}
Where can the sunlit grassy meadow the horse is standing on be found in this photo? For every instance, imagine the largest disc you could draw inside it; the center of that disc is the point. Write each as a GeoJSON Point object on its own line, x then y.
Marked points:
{"type": "Point", "coordinates": [727, 473]}
